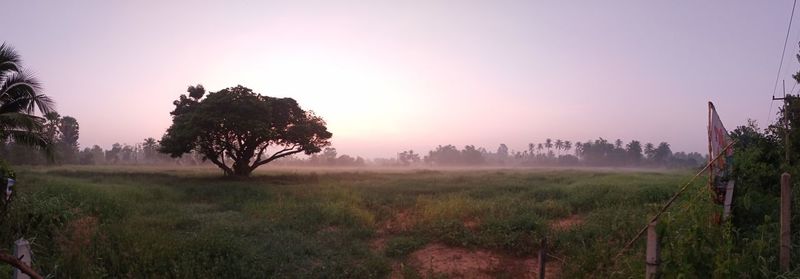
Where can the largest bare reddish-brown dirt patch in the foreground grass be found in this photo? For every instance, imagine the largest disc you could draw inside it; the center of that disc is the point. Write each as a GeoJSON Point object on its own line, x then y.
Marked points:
{"type": "Point", "coordinates": [438, 259]}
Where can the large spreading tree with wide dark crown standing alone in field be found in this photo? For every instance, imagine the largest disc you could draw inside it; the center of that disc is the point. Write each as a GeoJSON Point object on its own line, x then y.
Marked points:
{"type": "Point", "coordinates": [239, 130]}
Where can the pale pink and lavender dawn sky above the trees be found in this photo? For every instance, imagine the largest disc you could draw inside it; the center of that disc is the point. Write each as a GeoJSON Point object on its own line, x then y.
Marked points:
{"type": "Point", "coordinates": [415, 74]}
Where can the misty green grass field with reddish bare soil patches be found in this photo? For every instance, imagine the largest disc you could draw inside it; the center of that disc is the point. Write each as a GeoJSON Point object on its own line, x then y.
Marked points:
{"type": "Point", "coordinates": [190, 223]}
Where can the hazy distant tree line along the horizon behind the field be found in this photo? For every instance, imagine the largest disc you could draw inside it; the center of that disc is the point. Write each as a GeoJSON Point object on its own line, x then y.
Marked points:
{"type": "Point", "coordinates": [64, 132]}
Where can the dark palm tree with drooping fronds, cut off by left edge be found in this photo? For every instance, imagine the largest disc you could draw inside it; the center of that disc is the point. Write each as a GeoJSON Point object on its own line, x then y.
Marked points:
{"type": "Point", "coordinates": [20, 101]}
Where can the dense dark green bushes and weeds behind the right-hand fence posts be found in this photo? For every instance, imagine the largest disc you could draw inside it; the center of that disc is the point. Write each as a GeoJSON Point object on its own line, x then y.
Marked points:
{"type": "Point", "coordinates": [694, 244]}
